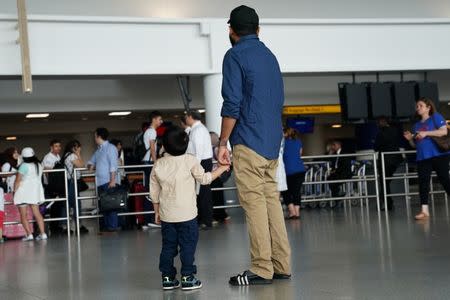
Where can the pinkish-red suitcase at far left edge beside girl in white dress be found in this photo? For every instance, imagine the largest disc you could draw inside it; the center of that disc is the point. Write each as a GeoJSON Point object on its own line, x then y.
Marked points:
{"type": "Point", "coordinates": [12, 215]}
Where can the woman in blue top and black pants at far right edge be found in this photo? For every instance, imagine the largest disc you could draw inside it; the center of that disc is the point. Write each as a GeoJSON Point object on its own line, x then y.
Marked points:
{"type": "Point", "coordinates": [429, 157]}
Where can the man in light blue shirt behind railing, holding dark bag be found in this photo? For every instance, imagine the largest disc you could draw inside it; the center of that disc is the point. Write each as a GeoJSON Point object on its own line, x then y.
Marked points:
{"type": "Point", "coordinates": [105, 163]}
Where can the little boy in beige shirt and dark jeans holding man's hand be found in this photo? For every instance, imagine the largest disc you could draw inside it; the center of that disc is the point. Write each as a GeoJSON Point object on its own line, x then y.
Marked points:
{"type": "Point", "coordinates": [172, 190]}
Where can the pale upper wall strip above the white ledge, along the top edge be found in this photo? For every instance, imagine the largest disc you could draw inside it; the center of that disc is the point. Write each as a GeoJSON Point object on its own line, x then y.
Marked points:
{"type": "Point", "coordinates": [219, 9]}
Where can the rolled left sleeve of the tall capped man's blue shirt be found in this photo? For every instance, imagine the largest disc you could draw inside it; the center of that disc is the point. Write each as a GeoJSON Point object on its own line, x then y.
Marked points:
{"type": "Point", "coordinates": [231, 86]}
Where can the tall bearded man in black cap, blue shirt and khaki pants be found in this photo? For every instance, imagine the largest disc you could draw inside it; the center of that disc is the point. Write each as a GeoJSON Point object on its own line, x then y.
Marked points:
{"type": "Point", "coordinates": [253, 95]}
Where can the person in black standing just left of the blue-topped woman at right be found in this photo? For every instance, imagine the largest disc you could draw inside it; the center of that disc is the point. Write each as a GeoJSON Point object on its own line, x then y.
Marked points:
{"type": "Point", "coordinates": [388, 139]}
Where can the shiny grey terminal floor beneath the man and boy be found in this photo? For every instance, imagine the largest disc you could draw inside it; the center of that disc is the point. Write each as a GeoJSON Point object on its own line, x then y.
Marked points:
{"type": "Point", "coordinates": [346, 253]}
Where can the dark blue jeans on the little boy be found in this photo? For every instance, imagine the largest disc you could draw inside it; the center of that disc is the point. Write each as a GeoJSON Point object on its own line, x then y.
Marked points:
{"type": "Point", "coordinates": [183, 235]}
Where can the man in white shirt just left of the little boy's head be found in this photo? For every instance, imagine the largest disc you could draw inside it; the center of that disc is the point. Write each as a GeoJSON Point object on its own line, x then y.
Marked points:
{"type": "Point", "coordinates": [150, 136]}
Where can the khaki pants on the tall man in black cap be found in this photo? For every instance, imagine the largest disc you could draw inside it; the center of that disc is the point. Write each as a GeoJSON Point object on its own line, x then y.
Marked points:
{"type": "Point", "coordinates": [255, 180]}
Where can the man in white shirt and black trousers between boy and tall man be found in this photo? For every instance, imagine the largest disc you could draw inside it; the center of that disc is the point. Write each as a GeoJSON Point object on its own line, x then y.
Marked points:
{"type": "Point", "coordinates": [200, 146]}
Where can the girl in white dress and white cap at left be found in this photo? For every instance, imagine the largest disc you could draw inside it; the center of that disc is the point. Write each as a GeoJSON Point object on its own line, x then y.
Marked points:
{"type": "Point", "coordinates": [28, 190]}
